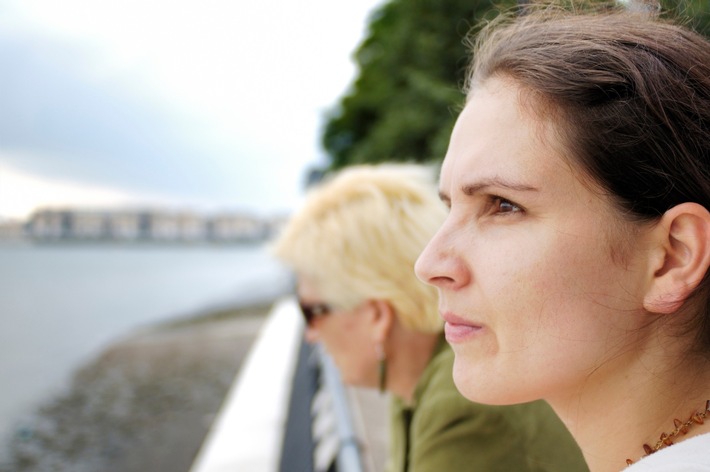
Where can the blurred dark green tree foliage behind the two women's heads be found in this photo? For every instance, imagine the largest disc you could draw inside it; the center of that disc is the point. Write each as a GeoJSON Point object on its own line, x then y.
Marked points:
{"type": "Point", "coordinates": [412, 63]}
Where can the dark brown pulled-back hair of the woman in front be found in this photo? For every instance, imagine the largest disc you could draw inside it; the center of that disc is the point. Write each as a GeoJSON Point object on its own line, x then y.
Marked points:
{"type": "Point", "coordinates": [631, 97]}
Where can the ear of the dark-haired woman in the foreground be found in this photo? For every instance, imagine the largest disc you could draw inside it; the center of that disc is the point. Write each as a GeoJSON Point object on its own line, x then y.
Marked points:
{"type": "Point", "coordinates": [682, 242]}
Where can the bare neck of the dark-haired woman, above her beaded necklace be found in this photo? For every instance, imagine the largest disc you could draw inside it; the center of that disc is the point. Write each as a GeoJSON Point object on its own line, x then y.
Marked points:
{"type": "Point", "coordinates": [616, 412]}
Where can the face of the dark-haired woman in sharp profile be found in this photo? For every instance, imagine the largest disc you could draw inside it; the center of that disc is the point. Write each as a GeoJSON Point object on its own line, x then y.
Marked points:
{"type": "Point", "coordinates": [538, 287]}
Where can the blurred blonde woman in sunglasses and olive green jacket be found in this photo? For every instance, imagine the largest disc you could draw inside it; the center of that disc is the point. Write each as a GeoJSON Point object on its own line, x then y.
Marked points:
{"type": "Point", "coordinates": [353, 246]}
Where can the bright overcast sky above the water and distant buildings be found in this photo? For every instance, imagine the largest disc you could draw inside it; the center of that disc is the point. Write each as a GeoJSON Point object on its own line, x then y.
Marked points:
{"type": "Point", "coordinates": [204, 104]}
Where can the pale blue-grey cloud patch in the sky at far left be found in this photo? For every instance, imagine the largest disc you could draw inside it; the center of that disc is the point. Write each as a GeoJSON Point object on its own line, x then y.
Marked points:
{"type": "Point", "coordinates": [66, 125]}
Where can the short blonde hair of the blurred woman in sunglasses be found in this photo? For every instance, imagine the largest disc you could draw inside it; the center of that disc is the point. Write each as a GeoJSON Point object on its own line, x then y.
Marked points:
{"type": "Point", "coordinates": [358, 235]}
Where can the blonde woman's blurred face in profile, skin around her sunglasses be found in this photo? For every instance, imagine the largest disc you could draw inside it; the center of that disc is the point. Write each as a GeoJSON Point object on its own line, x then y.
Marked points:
{"type": "Point", "coordinates": [345, 335]}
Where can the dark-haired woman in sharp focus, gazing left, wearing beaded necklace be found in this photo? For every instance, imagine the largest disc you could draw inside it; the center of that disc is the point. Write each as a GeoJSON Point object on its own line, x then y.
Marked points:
{"type": "Point", "coordinates": [573, 264]}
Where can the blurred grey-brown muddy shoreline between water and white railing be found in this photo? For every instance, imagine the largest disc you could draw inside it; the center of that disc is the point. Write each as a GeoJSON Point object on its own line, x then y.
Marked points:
{"type": "Point", "coordinates": [145, 403]}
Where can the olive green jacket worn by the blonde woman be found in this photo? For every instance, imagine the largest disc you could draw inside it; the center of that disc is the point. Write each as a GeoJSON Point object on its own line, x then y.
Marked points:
{"type": "Point", "coordinates": [444, 432]}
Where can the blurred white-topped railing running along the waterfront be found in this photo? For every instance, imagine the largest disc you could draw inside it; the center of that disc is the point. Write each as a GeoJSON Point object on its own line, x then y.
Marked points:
{"type": "Point", "coordinates": [249, 433]}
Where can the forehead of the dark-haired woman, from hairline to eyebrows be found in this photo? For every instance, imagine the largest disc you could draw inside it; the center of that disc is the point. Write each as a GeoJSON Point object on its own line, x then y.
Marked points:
{"type": "Point", "coordinates": [499, 145]}
